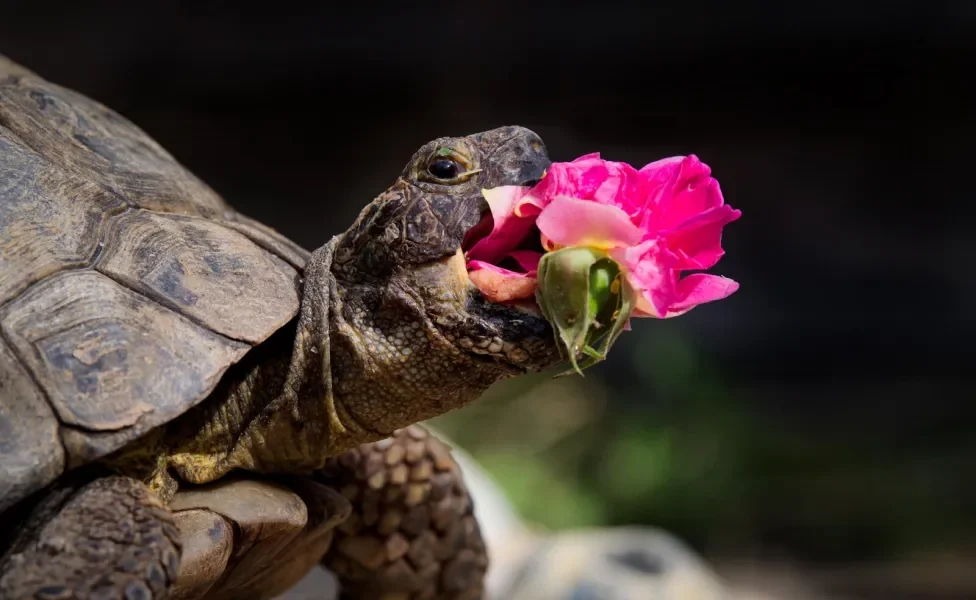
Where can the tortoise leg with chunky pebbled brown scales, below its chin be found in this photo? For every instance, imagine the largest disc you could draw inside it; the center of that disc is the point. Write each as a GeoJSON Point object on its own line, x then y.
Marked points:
{"type": "Point", "coordinates": [412, 534]}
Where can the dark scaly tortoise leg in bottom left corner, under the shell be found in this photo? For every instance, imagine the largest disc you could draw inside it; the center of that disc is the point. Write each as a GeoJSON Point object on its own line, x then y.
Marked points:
{"type": "Point", "coordinates": [110, 538]}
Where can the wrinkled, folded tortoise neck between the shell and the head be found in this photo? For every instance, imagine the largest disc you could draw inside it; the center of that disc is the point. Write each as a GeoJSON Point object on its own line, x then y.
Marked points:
{"type": "Point", "coordinates": [273, 412]}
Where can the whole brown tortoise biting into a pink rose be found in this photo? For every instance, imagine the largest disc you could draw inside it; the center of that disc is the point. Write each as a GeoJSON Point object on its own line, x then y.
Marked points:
{"type": "Point", "coordinates": [194, 406]}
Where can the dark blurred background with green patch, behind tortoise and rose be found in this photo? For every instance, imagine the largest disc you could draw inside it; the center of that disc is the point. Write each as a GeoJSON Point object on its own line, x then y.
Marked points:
{"type": "Point", "coordinates": [818, 425]}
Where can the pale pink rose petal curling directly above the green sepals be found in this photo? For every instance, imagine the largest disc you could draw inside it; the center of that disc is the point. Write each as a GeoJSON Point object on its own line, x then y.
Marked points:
{"type": "Point", "coordinates": [573, 222]}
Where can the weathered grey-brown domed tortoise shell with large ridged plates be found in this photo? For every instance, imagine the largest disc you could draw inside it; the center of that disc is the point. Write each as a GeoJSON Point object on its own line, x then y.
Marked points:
{"type": "Point", "coordinates": [127, 285]}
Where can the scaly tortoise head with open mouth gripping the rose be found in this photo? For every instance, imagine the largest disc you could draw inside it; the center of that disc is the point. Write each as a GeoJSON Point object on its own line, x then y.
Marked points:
{"type": "Point", "coordinates": [425, 337]}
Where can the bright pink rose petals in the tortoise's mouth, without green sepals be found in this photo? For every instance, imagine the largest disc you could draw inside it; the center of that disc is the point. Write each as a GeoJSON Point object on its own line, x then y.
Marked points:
{"type": "Point", "coordinates": [655, 223]}
